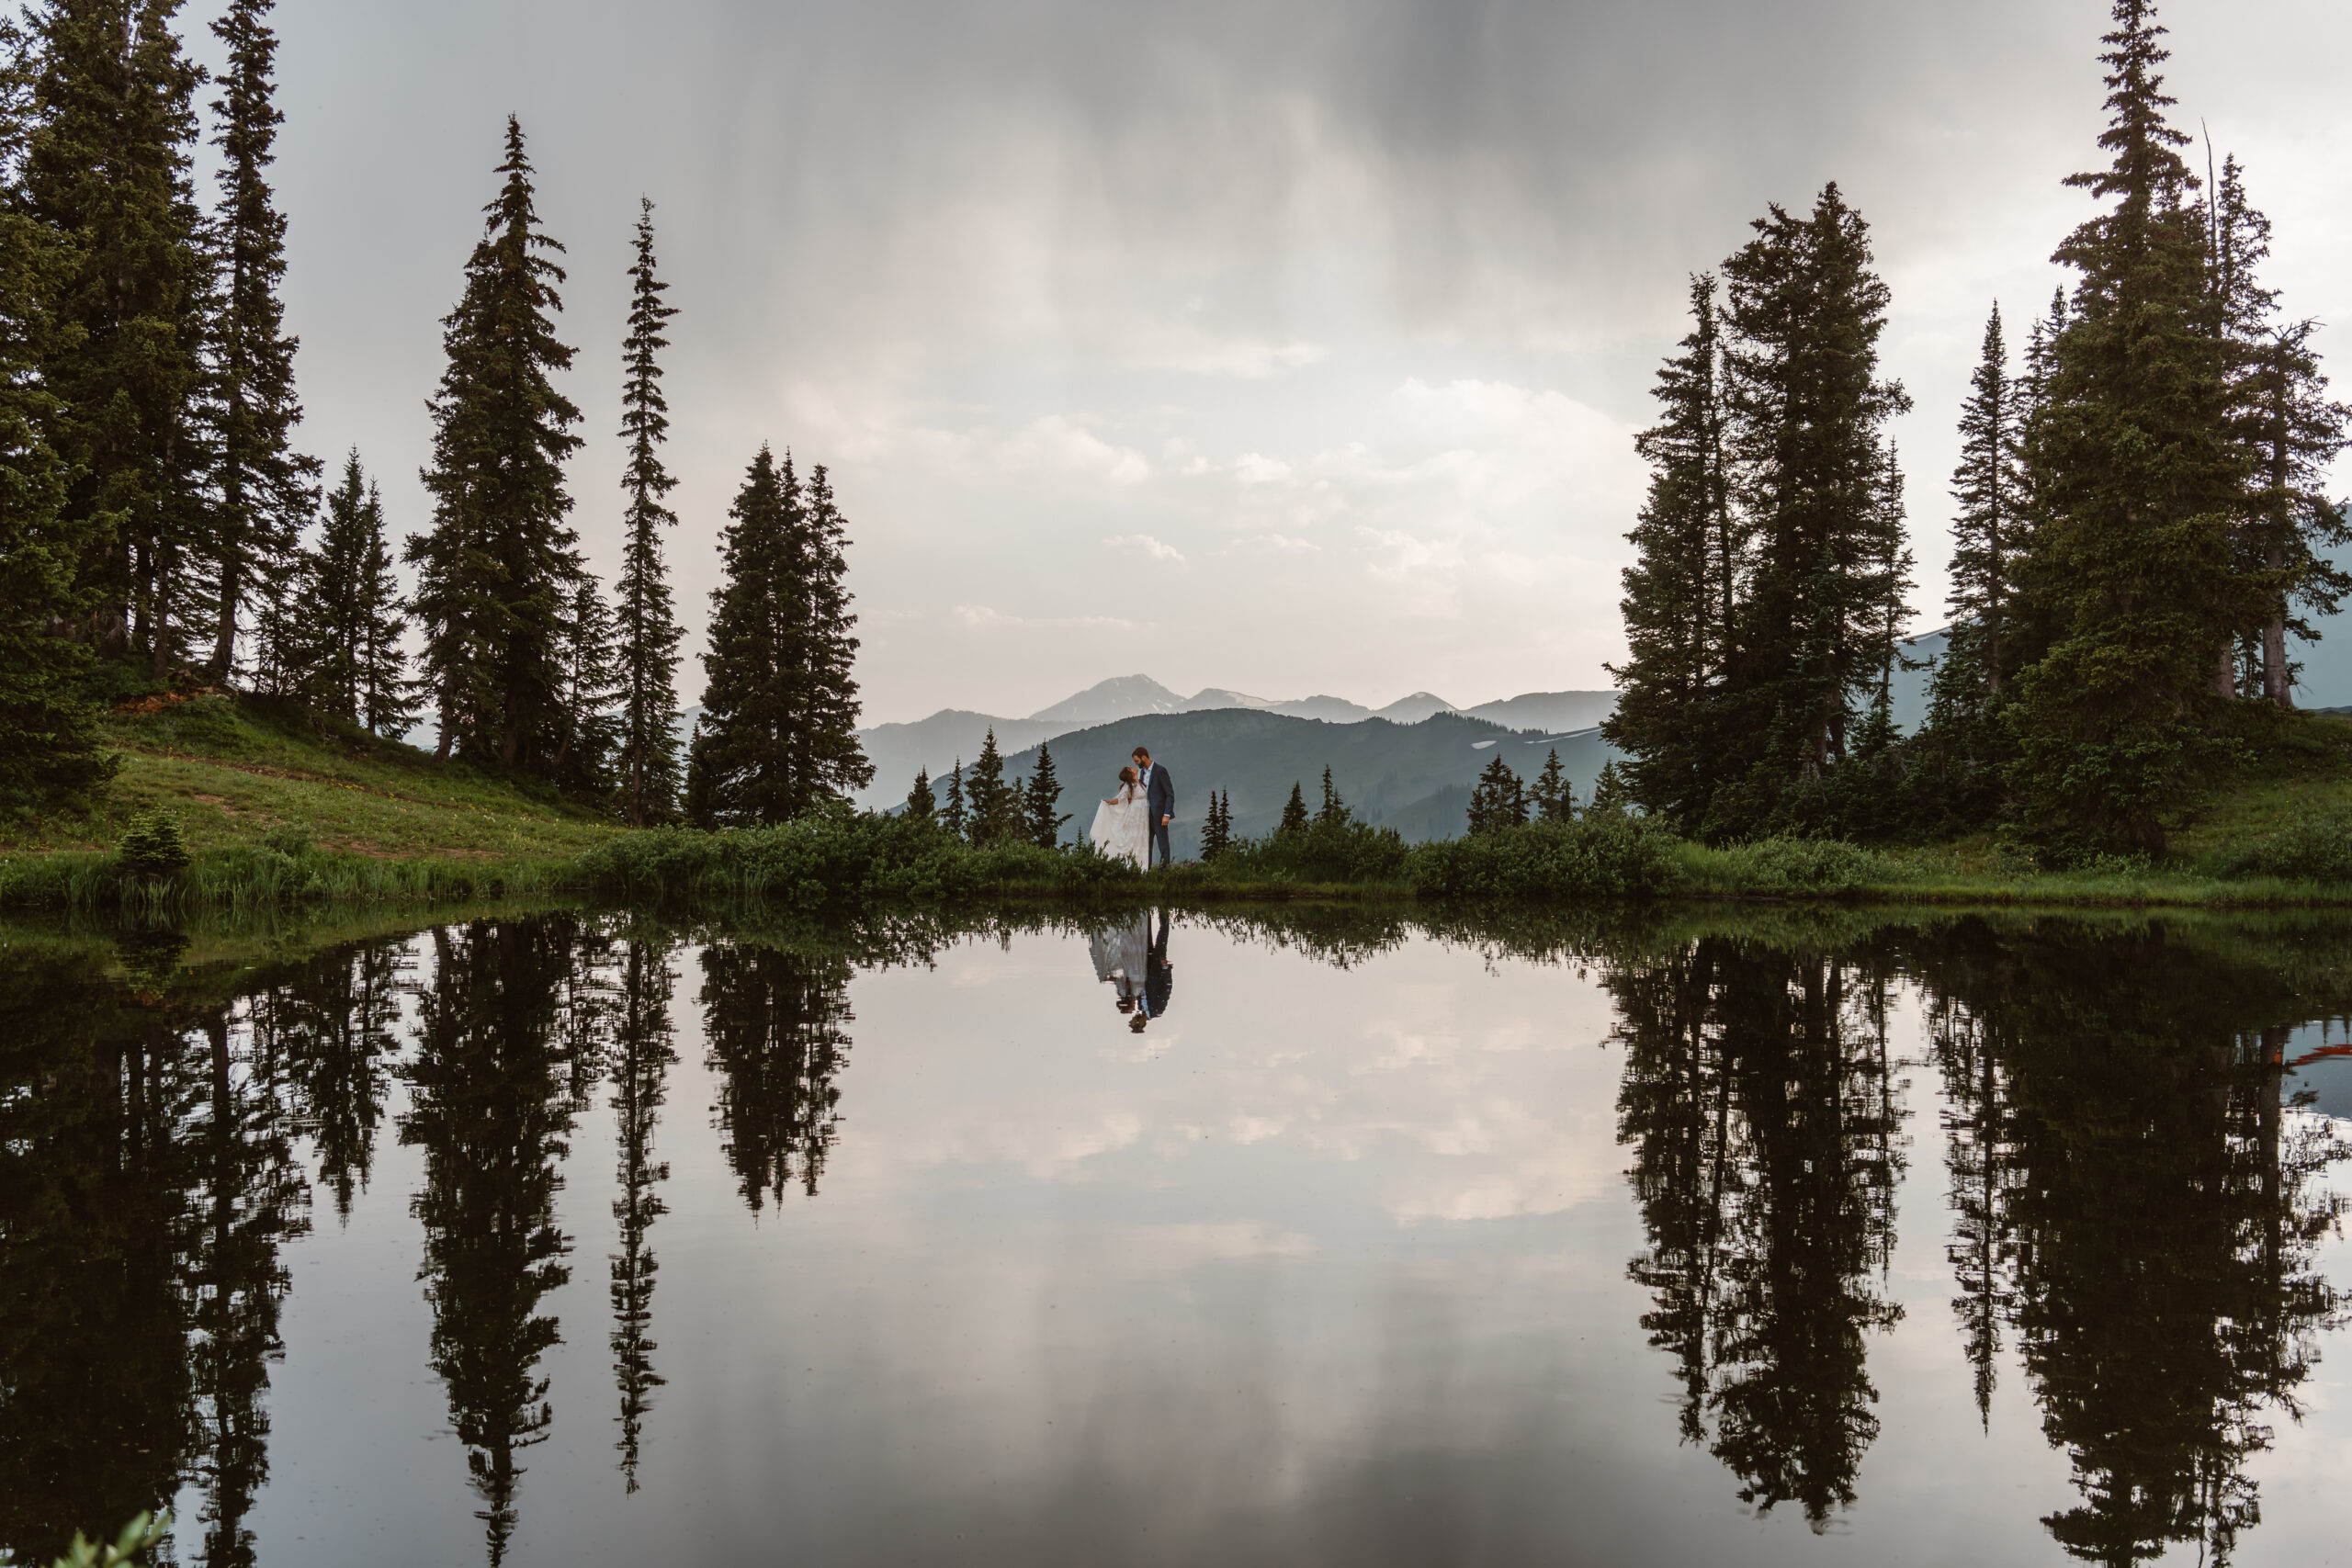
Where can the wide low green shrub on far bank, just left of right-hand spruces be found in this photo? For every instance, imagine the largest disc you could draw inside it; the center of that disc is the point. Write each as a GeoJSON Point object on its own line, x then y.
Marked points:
{"type": "Point", "coordinates": [1596, 857]}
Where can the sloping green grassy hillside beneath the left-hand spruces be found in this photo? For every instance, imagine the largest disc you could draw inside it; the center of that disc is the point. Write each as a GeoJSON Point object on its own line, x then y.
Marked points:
{"type": "Point", "coordinates": [234, 770]}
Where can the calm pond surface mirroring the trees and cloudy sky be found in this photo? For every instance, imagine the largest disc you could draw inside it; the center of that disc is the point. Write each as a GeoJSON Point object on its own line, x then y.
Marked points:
{"type": "Point", "coordinates": [1295, 1240]}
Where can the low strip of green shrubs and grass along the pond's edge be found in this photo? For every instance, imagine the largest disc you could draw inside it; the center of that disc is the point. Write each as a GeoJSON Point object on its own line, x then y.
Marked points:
{"type": "Point", "coordinates": [838, 859]}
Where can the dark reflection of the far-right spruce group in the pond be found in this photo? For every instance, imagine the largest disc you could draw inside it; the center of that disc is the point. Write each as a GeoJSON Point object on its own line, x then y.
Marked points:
{"type": "Point", "coordinates": [2141, 1209]}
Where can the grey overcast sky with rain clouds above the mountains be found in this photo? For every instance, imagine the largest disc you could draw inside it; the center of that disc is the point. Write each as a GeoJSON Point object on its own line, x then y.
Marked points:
{"type": "Point", "coordinates": [1267, 344]}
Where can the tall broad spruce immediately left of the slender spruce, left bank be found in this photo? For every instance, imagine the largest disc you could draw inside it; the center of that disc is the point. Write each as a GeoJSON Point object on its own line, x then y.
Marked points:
{"type": "Point", "coordinates": [497, 572]}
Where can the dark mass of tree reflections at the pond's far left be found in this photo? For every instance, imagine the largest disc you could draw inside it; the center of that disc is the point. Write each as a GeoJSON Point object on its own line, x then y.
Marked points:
{"type": "Point", "coordinates": [147, 1191]}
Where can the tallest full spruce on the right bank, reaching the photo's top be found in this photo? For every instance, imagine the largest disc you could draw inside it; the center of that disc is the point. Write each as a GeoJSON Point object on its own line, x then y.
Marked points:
{"type": "Point", "coordinates": [2134, 556]}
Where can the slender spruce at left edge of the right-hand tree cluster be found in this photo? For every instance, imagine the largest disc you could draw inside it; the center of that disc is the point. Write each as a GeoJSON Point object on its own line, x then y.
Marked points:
{"type": "Point", "coordinates": [1681, 589]}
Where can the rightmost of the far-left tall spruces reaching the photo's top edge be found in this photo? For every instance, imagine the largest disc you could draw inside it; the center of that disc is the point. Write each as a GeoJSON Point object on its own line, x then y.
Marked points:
{"type": "Point", "coordinates": [265, 490]}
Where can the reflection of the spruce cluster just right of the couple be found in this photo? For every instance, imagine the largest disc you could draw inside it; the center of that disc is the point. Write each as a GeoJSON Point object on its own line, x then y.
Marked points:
{"type": "Point", "coordinates": [1763, 1115]}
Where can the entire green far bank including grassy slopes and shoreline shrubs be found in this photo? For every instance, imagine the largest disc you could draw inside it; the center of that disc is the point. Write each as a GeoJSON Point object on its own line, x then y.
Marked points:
{"type": "Point", "coordinates": [286, 810]}
